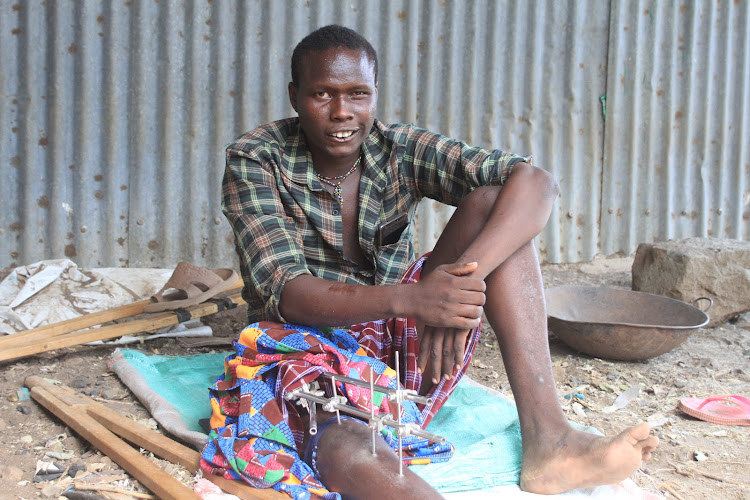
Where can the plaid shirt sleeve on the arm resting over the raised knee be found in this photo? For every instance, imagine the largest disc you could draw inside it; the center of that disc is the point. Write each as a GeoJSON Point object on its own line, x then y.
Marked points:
{"type": "Point", "coordinates": [447, 170]}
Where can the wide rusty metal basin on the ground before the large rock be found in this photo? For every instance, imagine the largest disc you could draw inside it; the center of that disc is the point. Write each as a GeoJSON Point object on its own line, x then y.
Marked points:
{"type": "Point", "coordinates": [620, 324]}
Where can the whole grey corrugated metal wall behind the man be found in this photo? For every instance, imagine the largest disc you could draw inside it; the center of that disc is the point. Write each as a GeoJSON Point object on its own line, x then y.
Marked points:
{"type": "Point", "coordinates": [113, 115]}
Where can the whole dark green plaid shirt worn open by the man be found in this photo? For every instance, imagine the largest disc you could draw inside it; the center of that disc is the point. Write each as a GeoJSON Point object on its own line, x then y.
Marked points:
{"type": "Point", "coordinates": [286, 224]}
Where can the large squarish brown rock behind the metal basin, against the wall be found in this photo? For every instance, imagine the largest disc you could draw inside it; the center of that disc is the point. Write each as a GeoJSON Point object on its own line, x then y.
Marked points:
{"type": "Point", "coordinates": [697, 267]}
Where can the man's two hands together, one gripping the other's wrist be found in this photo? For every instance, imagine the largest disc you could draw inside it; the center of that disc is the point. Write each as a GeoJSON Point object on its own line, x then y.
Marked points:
{"type": "Point", "coordinates": [450, 305]}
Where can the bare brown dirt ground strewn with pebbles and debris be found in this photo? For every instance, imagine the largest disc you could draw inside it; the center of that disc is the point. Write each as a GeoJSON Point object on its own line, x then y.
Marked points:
{"type": "Point", "coordinates": [695, 460]}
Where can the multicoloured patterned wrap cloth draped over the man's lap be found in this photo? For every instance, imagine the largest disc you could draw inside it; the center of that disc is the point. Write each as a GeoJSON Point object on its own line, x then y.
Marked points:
{"type": "Point", "coordinates": [257, 436]}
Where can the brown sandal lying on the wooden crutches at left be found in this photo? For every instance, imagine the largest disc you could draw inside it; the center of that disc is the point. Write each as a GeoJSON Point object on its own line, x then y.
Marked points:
{"type": "Point", "coordinates": [190, 285]}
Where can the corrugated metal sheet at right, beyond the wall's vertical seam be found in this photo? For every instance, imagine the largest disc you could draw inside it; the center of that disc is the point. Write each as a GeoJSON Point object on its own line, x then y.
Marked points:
{"type": "Point", "coordinates": [677, 145]}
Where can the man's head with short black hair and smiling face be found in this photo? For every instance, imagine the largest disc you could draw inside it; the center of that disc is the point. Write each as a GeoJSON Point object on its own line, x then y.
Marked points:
{"type": "Point", "coordinates": [335, 93]}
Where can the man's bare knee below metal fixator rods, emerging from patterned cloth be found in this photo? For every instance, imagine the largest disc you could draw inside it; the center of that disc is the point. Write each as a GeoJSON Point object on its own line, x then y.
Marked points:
{"type": "Point", "coordinates": [347, 466]}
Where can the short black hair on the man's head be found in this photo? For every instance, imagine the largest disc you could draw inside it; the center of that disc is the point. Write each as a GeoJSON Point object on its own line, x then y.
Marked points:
{"type": "Point", "coordinates": [330, 37]}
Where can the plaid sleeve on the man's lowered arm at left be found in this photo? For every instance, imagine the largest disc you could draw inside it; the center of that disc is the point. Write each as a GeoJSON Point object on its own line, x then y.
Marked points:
{"type": "Point", "coordinates": [266, 239]}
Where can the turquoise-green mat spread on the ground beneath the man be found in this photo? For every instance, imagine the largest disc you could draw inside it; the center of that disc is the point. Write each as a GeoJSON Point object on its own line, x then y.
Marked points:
{"type": "Point", "coordinates": [482, 426]}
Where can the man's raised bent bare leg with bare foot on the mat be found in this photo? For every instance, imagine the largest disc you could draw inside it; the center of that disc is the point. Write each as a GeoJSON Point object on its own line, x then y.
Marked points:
{"type": "Point", "coordinates": [556, 457]}
